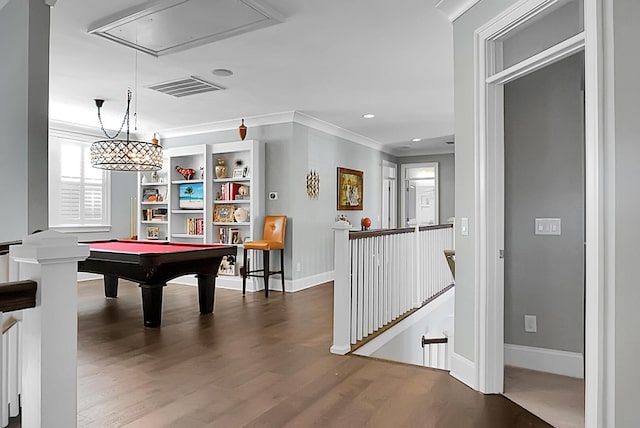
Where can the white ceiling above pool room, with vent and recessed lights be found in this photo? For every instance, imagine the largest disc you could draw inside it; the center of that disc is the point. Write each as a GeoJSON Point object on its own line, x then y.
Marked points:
{"type": "Point", "coordinates": [333, 60]}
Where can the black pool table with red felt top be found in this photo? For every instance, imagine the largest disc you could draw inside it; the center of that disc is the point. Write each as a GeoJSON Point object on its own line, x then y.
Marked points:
{"type": "Point", "coordinates": [151, 265]}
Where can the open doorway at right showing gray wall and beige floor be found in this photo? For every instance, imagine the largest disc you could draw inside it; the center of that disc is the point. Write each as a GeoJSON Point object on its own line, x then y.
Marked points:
{"type": "Point", "coordinates": [544, 241]}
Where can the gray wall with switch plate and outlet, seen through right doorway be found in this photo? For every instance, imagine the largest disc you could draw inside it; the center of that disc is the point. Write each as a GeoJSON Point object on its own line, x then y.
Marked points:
{"type": "Point", "coordinates": [544, 158]}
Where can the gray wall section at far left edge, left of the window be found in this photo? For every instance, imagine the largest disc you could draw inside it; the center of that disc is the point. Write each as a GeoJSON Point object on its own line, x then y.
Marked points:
{"type": "Point", "coordinates": [24, 100]}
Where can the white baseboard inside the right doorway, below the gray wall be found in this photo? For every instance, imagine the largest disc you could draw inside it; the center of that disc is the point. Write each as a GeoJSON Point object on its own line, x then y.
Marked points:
{"type": "Point", "coordinates": [545, 360]}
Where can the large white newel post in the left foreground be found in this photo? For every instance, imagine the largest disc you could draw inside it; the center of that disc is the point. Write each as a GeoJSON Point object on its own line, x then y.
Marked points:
{"type": "Point", "coordinates": [50, 330]}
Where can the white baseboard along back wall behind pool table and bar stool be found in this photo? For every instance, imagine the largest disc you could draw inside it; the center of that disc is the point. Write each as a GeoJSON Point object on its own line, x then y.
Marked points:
{"type": "Point", "coordinates": [256, 284]}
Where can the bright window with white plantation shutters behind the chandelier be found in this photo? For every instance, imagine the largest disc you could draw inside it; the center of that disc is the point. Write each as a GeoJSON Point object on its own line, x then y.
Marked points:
{"type": "Point", "coordinates": [79, 196]}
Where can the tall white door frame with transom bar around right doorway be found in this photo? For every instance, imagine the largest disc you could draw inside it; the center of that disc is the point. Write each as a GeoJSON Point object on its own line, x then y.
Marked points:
{"type": "Point", "coordinates": [489, 191]}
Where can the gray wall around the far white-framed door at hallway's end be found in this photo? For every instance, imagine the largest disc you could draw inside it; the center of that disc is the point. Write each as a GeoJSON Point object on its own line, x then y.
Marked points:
{"type": "Point", "coordinates": [446, 181]}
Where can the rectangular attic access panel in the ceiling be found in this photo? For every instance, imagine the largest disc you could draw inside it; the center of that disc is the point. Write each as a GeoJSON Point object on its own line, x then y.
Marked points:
{"type": "Point", "coordinates": [163, 27]}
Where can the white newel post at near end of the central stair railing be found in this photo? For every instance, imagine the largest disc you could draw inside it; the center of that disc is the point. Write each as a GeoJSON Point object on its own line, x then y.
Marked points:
{"type": "Point", "coordinates": [341, 290]}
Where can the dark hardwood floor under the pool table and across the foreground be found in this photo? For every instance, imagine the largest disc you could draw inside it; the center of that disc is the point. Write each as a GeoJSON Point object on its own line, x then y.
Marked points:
{"type": "Point", "coordinates": [255, 362]}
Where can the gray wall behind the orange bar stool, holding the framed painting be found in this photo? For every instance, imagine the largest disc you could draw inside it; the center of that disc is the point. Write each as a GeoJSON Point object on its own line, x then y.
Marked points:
{"type": "Point", "coordinates": [291, 150]}
